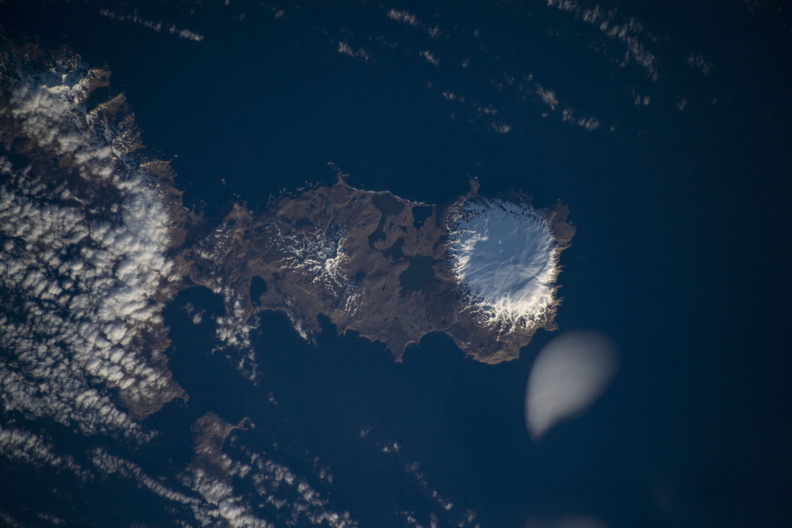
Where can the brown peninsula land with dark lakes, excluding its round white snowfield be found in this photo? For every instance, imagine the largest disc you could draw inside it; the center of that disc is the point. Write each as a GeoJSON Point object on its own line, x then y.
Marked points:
{"type": "Point", "coordinates": [370, 262]}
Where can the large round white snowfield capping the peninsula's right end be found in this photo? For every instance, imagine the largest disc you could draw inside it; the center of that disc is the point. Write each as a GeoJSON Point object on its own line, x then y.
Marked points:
{"type": "Point", "coordinates": [506, 259]}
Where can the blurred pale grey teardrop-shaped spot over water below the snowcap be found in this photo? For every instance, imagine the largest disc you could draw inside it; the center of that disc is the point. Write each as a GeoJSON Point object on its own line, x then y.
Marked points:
{"type": "Point", "coordinates": [571, 372]}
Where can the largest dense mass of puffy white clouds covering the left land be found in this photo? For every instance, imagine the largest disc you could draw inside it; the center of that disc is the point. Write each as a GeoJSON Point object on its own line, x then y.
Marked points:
{"type": "Point", "coordinates": [83, 264]}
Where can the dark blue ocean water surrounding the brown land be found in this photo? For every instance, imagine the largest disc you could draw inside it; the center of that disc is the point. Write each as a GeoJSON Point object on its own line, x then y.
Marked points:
{"type": "Point", "coordinates": [681, 255]}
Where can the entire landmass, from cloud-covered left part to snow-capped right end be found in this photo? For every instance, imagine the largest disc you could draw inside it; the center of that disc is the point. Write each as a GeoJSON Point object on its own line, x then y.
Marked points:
{"type": "Point", "coordinates": [96, 241]}
